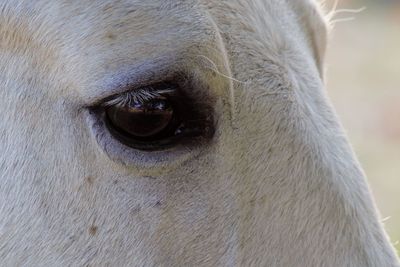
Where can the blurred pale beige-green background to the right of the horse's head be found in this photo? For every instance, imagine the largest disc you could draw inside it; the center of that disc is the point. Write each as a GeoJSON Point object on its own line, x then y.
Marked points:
{"type": "Point", "coordinates": [363, 81]}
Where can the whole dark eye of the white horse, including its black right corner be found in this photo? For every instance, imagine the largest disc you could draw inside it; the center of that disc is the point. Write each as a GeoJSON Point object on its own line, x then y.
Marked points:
{"type": "Point", "coordinates": [157, 118]}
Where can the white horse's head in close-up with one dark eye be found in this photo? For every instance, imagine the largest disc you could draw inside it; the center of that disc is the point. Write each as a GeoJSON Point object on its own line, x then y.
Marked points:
{"type": "Point", "coordinates": [176, 133]}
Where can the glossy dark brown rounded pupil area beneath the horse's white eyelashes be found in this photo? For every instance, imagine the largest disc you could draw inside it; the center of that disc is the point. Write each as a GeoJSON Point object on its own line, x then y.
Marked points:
{"type": "Point", "coordinates": [142, 119]}
